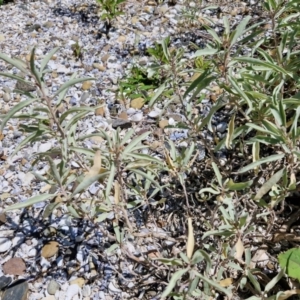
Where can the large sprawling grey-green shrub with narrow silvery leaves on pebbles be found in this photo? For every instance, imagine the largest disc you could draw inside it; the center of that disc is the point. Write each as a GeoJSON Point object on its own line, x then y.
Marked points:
{"type": "Point", "coordinates": [226, 212]}
